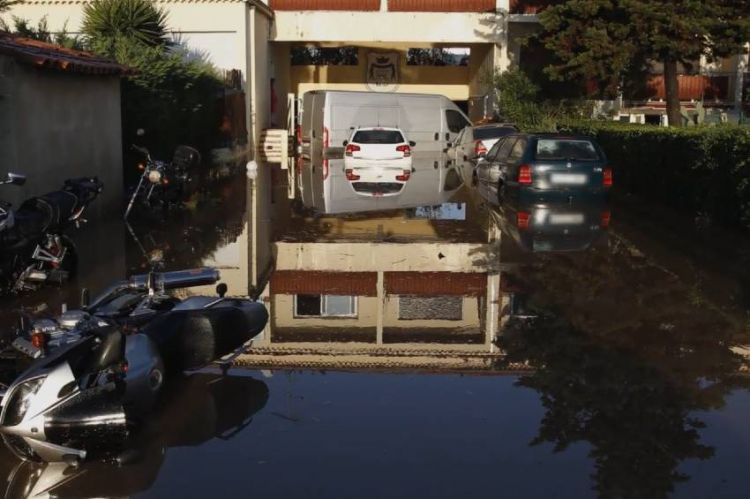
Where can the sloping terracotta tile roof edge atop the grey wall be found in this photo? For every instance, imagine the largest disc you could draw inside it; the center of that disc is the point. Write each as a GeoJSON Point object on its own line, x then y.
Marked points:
{"type": "Point", "coordinates": [49, 56]}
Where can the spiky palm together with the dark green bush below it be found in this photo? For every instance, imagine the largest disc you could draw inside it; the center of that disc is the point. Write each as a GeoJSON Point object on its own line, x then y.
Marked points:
{"type": "Point", "coordinates": [170, 95]}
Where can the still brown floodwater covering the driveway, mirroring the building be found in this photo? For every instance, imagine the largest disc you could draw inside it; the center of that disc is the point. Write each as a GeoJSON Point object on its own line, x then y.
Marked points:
{"type": "Point", "coordinates": [455, 349]}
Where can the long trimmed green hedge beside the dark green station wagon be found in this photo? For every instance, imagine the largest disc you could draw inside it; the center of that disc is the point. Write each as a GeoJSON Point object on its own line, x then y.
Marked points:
{"type": "Point", "coordinates": [698, 170]}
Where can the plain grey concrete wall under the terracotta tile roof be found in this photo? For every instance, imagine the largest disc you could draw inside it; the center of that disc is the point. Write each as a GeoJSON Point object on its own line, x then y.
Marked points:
{"type": "Point", "coordinates": [58, 125]}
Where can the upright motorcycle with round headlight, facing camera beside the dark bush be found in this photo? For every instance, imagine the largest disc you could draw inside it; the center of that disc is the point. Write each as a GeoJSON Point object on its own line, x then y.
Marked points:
{"type": "Point", "coordinates": [161, 182]}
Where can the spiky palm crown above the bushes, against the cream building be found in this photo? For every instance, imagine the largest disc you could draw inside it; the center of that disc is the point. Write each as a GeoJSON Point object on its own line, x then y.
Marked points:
{"type": "Point", "coordinates": [106, 21]}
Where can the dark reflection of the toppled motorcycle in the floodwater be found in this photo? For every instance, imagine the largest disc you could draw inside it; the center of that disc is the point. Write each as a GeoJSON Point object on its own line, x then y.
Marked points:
{"type": "Point", "coordinates": [196, 409]}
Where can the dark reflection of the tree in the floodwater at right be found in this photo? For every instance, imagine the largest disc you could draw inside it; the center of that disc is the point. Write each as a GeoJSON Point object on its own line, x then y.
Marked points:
{"type": "Point", "coordinates": [622, 372]}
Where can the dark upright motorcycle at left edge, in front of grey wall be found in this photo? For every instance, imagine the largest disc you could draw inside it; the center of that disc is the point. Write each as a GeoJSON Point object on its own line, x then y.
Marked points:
{"type": "Point", "coordinates": [34, 248]}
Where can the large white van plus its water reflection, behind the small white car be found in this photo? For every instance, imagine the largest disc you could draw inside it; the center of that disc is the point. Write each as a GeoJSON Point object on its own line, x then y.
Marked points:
{"type": "Point", "coordinates": [326, 121]}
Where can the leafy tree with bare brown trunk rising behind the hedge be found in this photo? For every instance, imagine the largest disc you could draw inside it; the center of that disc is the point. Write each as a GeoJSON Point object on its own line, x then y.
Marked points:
{"type": "Point", "coordinates": [608, 40]}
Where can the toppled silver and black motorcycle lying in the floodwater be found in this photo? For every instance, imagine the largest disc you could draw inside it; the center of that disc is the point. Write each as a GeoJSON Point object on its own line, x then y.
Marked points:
{"type": "Point", "coordinates": [99, 369]}
